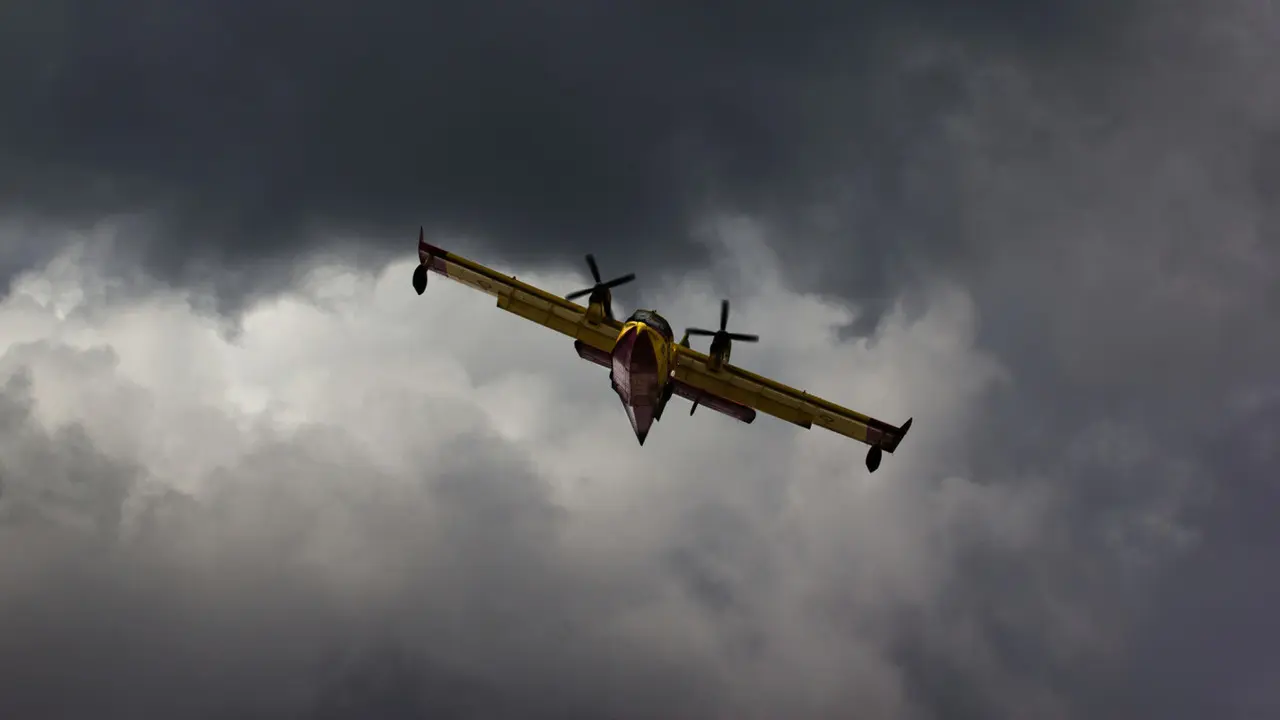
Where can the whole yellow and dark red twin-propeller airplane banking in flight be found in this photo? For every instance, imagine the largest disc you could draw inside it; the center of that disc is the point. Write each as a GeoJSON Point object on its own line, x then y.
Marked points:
{"type": "Point", "coordinates": [648, 367]}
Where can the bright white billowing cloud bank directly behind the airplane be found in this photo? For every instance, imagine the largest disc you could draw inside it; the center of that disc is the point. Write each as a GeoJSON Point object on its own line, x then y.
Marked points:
{"type": "Point", "coordinates": [364, 462]}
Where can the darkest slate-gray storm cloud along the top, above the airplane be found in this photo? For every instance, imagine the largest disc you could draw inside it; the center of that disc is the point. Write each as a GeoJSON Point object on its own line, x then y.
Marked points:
{"type": "Point", "coordinates": [546, 129]}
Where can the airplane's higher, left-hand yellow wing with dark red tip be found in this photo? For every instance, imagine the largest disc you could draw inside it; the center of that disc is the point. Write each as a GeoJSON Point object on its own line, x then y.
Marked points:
{"type": "Point", "coordinates": [587, 325]}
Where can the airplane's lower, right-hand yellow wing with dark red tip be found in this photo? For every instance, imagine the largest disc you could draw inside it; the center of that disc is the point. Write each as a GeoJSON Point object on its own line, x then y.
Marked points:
{"type": "Point", "coordinates": [787, 403]}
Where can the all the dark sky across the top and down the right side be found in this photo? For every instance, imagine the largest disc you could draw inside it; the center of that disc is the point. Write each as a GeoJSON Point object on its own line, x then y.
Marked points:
{"type": "Point", "coordinates": [1103, 177]}
